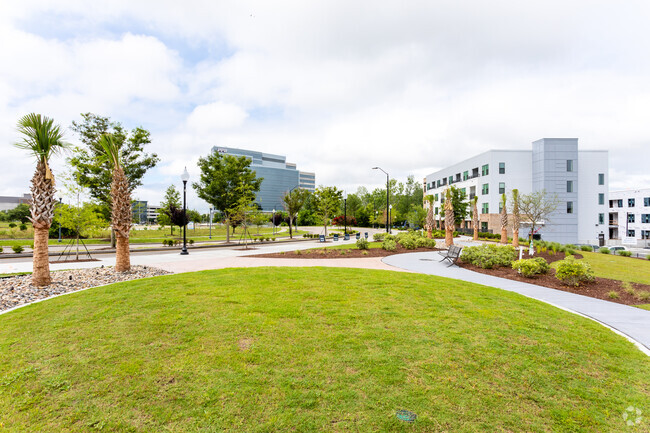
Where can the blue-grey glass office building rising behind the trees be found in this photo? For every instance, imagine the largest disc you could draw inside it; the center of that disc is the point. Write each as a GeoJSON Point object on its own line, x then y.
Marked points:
{"type": "Point", "coordinates": [279, 176]}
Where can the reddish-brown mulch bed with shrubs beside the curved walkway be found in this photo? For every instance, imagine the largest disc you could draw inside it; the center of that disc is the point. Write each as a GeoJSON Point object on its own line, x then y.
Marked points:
{"type": "Point", "coordinates": [599, 288]}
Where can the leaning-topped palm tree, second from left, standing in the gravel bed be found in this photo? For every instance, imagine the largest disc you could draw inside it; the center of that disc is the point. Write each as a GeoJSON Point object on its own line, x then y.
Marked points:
{"type": "Point", "coordinates": [121, 215]}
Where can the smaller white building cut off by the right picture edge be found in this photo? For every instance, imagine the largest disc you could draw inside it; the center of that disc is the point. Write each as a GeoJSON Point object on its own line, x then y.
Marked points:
{"type": "Point", "coordinates": [629, 217]}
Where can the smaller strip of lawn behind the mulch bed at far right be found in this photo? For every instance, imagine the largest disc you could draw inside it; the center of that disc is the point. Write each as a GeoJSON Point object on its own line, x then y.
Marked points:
{"type": "Point", "coordinates": [618, 267]}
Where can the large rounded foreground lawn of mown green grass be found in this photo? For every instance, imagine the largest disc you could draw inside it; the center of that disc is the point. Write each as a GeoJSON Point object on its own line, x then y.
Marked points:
{"type": "Point", "coordinates": [283, 349]}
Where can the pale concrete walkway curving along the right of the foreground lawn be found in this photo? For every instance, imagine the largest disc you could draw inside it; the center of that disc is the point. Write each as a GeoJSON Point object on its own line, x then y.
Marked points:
{"type": "Point", "coordinates": [631, 322]}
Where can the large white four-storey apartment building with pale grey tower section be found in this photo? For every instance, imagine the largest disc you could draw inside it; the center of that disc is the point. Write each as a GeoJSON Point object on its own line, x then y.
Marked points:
{"type": "Point", "coordinates": [579, 179]}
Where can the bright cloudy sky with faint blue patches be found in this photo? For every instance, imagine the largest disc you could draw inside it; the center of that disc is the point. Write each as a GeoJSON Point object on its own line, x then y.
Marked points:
{"type": "Point", "coordinates": [336, 86]}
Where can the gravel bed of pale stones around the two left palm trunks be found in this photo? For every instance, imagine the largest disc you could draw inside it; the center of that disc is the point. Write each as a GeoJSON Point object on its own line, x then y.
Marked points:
{"type": "Point", "coordinates": [15, 291]}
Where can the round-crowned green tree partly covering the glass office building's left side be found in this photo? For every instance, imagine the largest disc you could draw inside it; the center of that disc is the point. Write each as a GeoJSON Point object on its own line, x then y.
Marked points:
{"type": "Point", "coordinates": [226, 181]}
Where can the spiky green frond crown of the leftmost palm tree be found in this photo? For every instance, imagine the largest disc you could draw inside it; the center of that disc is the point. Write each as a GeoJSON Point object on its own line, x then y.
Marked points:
{"type": "Point", "coordinates": [40, 136]}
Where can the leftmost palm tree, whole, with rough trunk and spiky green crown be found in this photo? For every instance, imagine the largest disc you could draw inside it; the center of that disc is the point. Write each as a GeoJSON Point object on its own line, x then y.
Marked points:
{"type": "Point", "coordinates": [43, 139]}
